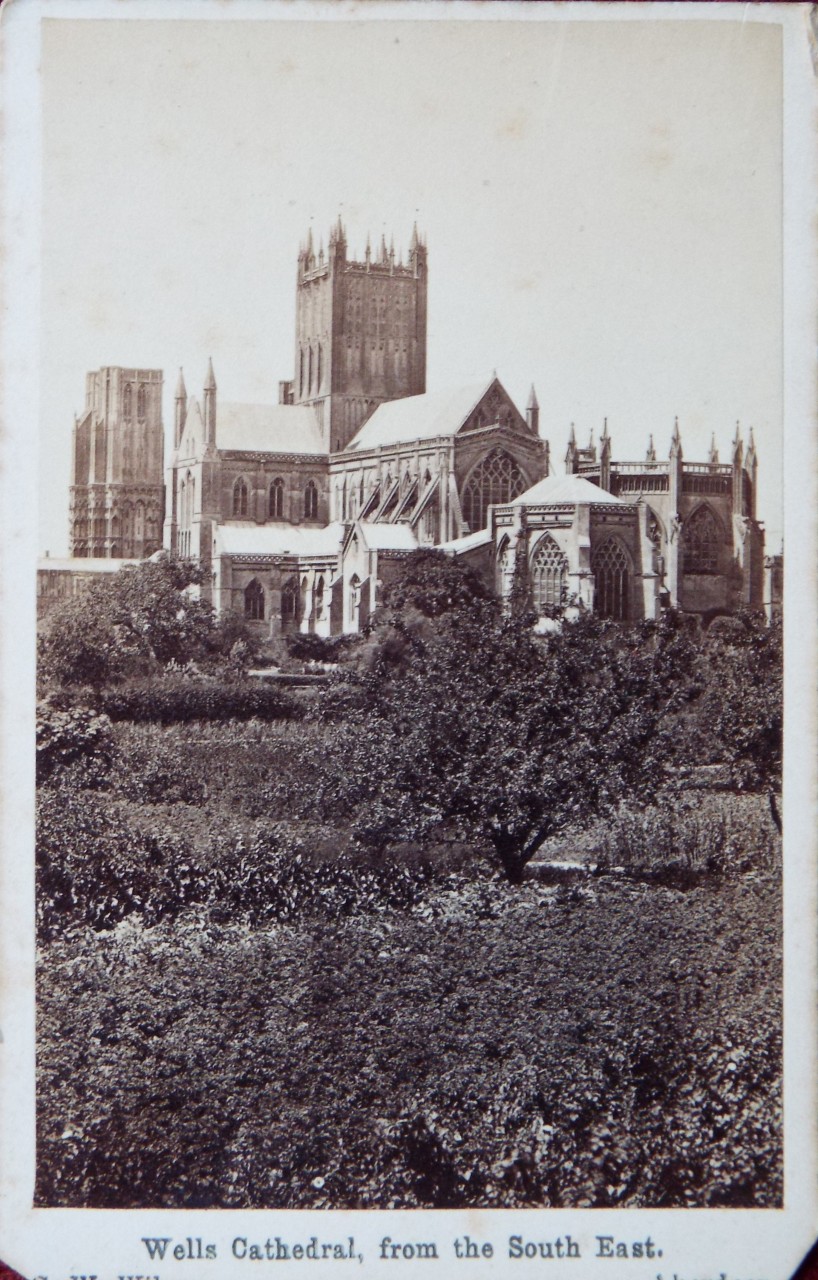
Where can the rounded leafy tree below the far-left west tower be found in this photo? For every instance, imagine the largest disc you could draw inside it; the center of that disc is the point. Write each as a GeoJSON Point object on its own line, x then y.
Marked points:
{"type": "Point", "coordinates": [127, 623]}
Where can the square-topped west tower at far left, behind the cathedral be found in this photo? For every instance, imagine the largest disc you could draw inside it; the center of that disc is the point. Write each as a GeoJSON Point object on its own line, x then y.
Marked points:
{"type": "Point", "coordinates": [117, 492]}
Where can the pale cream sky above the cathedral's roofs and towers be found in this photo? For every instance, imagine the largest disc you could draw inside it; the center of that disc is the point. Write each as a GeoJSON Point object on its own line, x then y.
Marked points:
{"type": "Point", "coordinates": [602, 204]}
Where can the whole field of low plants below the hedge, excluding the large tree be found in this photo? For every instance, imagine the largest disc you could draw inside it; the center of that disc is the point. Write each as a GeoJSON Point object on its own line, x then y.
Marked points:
{"type": "Point", "coordinates": [235, 1011]}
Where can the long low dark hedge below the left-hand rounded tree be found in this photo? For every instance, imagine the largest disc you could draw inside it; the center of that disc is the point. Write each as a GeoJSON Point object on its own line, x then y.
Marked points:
{"type": "Point", "coordinates": [176, 701]}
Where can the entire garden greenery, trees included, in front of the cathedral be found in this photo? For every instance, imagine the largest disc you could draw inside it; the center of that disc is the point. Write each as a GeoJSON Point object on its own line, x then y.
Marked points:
{"type": "Point", "coordinates": [313, 948]}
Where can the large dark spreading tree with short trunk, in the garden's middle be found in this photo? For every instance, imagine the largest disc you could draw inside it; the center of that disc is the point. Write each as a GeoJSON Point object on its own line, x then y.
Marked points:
{"type": "Point", "coordinates": [506, 738]}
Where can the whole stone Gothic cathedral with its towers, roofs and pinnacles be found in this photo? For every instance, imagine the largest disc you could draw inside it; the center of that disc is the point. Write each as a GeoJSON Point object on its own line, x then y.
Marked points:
{"type": "Point", "coordinates": [301, 511]}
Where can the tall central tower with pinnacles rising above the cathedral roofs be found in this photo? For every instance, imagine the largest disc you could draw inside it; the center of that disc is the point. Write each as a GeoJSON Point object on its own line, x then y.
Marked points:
{"type": "Point", "coordinates": [360, 332]}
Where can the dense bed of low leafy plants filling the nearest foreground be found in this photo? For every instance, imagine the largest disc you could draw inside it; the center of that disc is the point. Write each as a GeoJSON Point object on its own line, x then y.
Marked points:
{"type": "Point", "coordinates": [616, 1048]}
